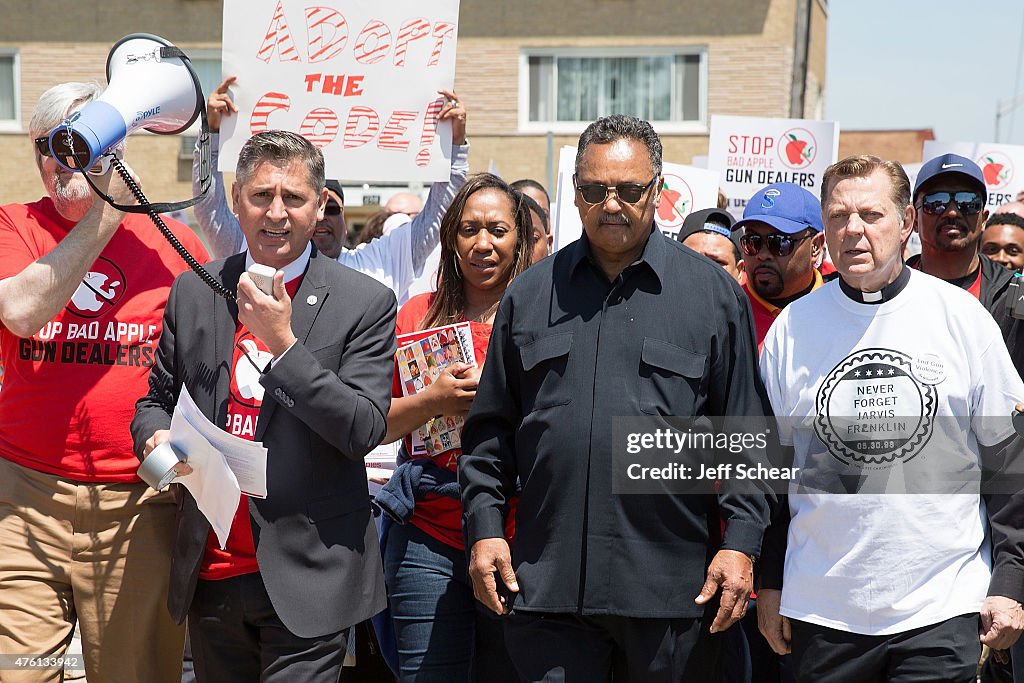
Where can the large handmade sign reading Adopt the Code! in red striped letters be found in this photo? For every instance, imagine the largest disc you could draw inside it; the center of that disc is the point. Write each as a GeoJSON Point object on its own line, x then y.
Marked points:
{"type": "Point", "coordinates": [359, 80]}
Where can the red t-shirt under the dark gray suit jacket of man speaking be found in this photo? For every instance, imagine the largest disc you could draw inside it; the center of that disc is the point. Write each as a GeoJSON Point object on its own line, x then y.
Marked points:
{"type": "Point", "coordinates": [245, 397]}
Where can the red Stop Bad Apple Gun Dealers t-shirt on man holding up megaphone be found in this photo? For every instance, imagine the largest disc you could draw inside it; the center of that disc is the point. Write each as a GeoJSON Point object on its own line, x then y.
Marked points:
{"type": "Point", "coordinates": [70, 392]}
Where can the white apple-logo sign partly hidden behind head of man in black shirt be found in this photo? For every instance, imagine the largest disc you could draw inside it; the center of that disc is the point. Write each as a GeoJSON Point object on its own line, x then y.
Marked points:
{"type": "Point", "coordinates": [685, 190]}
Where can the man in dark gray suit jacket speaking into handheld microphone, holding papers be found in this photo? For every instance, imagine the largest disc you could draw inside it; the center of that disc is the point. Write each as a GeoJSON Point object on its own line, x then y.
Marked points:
{"type": "Point", "coordinates": [307, 370]}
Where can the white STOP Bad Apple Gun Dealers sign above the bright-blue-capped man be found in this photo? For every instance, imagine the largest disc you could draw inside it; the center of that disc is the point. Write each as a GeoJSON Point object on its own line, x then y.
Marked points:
{"type": "Point", "coordinates": [752, 153]}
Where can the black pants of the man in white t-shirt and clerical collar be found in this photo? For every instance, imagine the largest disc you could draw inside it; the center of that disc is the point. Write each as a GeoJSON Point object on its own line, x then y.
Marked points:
{"type": "Point", "coordinates": [947, 652]}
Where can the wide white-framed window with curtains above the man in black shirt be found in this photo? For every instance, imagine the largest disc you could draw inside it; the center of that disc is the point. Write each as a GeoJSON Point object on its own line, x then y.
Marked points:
{"type": "Point", "coordinates": [564, 91]}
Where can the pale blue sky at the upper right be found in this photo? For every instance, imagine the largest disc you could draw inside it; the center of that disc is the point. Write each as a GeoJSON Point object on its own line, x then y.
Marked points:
{"type": "Point", "coordinates": [926, 64]}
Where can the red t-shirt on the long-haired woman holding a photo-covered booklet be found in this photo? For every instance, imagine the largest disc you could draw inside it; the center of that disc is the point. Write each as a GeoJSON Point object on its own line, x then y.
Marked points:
{"type": "Point", "coordinates": [436, 516]}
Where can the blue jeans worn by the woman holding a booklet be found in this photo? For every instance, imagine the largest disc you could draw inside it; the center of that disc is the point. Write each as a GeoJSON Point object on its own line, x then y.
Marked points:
{"type": "Point", "coordinates": [444, 634]}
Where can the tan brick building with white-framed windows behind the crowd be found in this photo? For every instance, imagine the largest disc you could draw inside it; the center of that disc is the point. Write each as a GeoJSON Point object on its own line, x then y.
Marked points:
{"type": "Point", "coordinates": [534, 73]}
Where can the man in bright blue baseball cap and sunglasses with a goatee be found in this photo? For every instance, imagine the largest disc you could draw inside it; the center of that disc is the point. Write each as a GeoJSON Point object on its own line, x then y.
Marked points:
{"type": "Point", "coordinates": [782, 241]}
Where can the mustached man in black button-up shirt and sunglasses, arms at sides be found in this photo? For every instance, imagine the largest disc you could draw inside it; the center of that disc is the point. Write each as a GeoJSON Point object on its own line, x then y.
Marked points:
{"type": "Point", "coordinates": [624, 322]}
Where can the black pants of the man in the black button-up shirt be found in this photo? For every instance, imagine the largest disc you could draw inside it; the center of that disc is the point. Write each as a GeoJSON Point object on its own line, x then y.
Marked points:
{"type": "Point", "coordinates": [570, 649]}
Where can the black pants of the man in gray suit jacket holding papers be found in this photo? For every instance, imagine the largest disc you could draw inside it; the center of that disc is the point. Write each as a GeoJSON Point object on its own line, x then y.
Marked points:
{"type": "Point", "coordinates": [237, 635]}
